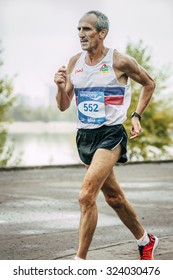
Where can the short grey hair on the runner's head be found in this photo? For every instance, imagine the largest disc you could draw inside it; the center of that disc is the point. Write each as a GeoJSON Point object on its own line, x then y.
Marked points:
{"type": "Point", "coordinates": [102, 20]}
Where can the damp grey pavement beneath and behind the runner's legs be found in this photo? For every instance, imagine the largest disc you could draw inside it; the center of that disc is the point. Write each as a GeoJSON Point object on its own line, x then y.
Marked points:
{"type": "Point", "coordinates": [39, 212]}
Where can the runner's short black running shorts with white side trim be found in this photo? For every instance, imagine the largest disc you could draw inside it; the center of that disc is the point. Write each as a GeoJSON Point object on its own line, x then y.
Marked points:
{"type": "Point", "coordinates": [104, 137]}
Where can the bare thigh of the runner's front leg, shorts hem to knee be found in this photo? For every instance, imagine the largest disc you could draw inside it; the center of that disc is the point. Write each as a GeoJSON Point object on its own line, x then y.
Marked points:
{"type": "Point", "coordinates": [100, 168]}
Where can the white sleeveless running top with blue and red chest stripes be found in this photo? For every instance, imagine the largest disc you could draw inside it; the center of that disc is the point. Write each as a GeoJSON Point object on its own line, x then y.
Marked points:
{"type": "Point", "coordinates": [100, 99]}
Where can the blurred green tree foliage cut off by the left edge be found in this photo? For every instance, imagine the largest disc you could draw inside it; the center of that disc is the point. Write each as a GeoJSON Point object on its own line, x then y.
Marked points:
{"type": "Point", "coordinates": [7, 99]}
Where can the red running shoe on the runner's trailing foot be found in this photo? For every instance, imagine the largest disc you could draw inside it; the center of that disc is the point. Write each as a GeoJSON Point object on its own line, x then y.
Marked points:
{"type": "Point", "coordinates": [147, 251]}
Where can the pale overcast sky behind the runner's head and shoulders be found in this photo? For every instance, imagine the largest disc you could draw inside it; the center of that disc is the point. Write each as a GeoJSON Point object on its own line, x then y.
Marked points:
{"type": "Point", "coordinates": [38, 36]}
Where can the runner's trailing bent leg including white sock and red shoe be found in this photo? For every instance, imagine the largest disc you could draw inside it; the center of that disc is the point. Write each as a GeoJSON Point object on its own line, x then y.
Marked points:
{"type": "Point", "coordinates": [116, 199]}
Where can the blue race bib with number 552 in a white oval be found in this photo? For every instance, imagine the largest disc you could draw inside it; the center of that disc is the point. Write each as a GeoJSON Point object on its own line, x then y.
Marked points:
{"type": "Point", "coordinates": [91, 108]}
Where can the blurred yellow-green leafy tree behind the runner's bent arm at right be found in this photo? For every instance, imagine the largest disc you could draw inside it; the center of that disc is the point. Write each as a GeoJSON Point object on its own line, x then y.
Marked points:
{"type": "Point", "coordinates": [157, 118]}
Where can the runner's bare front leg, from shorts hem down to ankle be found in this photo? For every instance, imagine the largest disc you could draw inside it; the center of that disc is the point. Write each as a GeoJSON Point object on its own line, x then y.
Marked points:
{"type": "Point", "coordinates": [100, 168]}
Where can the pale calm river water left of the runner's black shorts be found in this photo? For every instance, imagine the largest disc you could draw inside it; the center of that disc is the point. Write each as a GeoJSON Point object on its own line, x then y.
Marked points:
{"type": "Point", "coordinates": [43, 143]}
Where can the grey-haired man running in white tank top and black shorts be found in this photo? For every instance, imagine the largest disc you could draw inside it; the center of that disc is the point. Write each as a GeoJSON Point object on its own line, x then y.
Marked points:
{"type": "Point", "coordinates": [99, 77]}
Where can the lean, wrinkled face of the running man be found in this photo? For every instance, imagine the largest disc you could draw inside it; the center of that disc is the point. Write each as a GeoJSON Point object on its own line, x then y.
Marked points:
{"type": "Point", "coordinates": [89, 37]}
